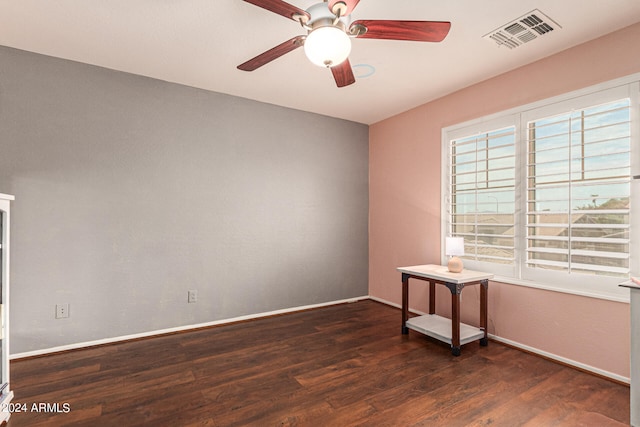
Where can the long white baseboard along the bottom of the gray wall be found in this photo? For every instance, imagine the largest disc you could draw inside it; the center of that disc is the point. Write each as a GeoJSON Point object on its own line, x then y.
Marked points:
{"type": "Point", "coordinates": [112, 340]}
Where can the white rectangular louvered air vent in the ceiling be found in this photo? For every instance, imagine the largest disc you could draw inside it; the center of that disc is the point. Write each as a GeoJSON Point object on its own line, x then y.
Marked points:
{"type": "Point", "coordinates": [523, 30]}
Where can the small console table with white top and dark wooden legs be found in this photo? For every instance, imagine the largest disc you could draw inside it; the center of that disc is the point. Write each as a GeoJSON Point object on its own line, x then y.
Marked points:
{"type": "Point", "coordinates": [451, 330]}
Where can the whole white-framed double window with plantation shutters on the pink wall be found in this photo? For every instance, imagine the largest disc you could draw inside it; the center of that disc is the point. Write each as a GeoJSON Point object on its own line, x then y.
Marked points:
{"type": "Point", "coordinates": [542, 194]}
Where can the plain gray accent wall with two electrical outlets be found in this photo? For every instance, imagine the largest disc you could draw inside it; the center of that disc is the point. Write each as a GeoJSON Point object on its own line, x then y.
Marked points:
{"type": "Point", "coordinates": [131, 191]}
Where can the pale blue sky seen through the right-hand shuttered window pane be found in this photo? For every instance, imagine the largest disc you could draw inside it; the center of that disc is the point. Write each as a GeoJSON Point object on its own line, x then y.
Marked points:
{"type": "Point", "coordinates": [579, 158]}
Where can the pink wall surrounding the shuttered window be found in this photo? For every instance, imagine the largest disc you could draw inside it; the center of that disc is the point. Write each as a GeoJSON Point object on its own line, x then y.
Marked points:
{"type": "Point", "coordinates": [405, 208]}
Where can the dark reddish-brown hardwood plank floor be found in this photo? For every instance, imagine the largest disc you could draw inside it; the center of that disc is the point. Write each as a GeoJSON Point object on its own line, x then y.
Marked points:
{"type": "Point", "coordinates": [337, 366]}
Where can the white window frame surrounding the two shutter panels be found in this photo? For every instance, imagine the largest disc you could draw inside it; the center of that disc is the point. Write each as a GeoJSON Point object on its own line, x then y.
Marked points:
{"type": "Point", "coordinates": [519, 274]}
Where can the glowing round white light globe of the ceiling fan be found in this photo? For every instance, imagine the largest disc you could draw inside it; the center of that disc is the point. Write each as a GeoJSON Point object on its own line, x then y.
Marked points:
{"type": "Point", "coordinates": [327, 46]}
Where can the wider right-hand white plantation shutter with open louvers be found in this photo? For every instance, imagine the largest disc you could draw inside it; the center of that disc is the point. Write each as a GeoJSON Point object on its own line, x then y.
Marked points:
{"type": "Point", "coordinates": [578, 188]}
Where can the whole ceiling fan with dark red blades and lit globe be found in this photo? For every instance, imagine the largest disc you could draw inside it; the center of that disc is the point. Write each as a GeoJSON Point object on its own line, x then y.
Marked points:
{"type": "Point", "coordinates": [329, 33]}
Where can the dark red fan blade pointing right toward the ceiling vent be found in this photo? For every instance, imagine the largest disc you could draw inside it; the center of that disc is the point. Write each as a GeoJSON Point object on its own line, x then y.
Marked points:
{"type": "Point", "coordinates": [421, 31]}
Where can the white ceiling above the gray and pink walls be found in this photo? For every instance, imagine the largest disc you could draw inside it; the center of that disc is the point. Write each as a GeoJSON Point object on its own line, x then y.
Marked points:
{"type": "Point", "coordinates": [199, 43]}
